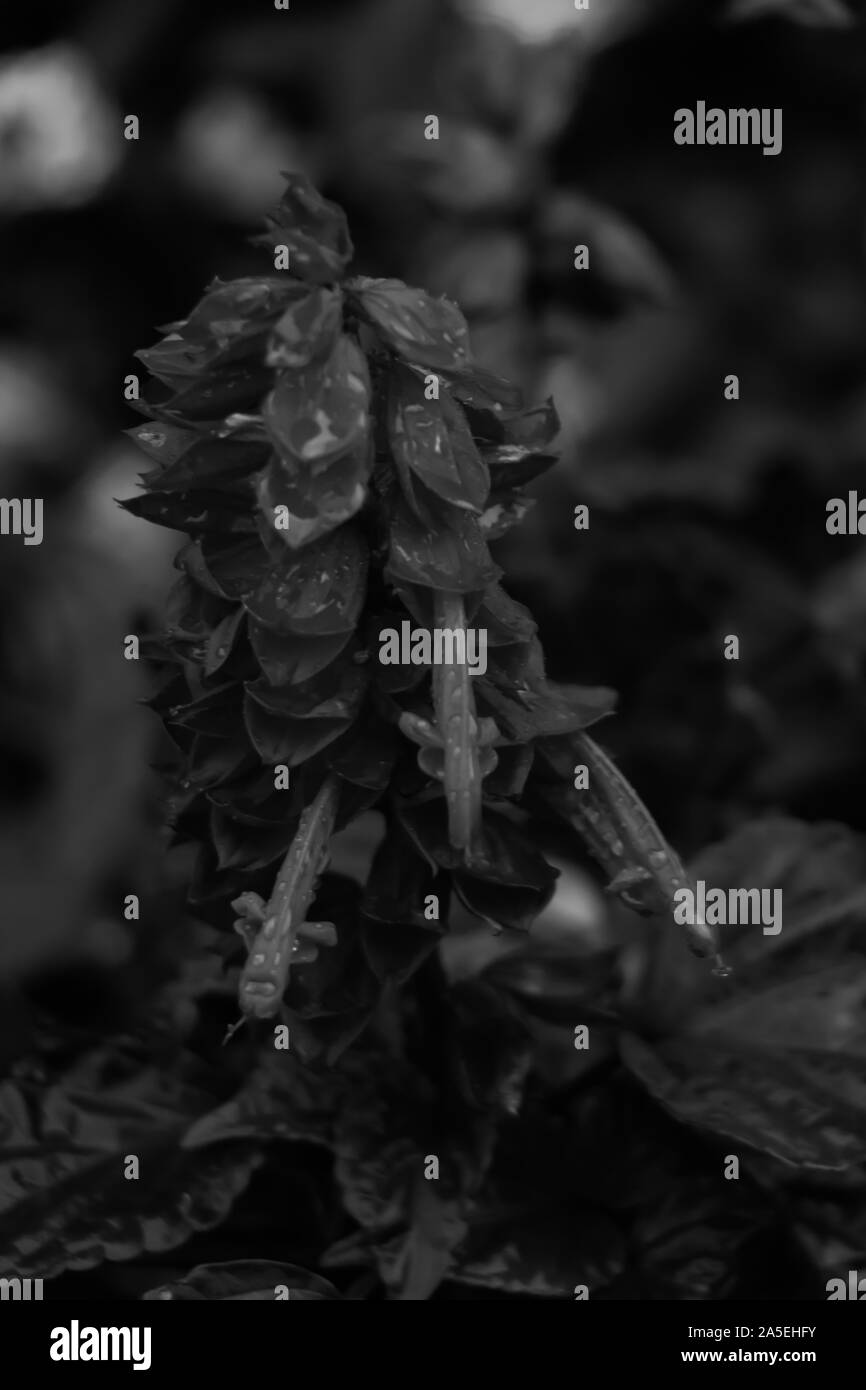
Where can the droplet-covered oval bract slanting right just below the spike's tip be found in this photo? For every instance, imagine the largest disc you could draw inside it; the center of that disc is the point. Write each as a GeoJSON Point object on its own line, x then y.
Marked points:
{"type": "Point", "coordinates": [423, 332]}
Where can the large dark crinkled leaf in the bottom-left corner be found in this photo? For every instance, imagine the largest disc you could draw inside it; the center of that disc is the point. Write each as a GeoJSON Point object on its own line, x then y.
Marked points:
{"type": "Point", "coordinates": [70, 1135]}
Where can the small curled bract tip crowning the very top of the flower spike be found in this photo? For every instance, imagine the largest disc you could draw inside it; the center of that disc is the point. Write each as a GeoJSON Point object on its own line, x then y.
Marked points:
{"type": "Point", "coordinates": [315, 231]}
